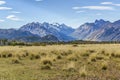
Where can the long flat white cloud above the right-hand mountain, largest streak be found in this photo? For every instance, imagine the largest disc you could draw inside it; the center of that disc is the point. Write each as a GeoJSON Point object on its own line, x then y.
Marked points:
{"type": "Point", "coordinates": [98, 7]}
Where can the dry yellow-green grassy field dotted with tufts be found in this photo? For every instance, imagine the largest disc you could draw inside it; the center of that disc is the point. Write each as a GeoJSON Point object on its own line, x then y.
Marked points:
{"type": "Point", "coordinates": [60, 62]}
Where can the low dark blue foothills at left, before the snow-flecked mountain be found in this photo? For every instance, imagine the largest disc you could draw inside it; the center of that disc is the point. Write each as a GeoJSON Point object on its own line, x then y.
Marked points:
{"type": "Point", "coordinates": [13, 34]}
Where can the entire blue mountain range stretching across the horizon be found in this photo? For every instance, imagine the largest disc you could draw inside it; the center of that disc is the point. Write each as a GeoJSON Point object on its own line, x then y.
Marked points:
{"type": "Point", "coordinates": [100, 30]}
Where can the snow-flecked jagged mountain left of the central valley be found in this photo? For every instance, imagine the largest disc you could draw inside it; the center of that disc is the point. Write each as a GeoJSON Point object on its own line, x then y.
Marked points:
{"type": "Point", "coordinates": [61, 31]}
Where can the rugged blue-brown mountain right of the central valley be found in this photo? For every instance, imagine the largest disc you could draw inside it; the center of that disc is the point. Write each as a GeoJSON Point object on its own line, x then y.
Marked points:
{"type": "Point", "coordinates": [100, 30]}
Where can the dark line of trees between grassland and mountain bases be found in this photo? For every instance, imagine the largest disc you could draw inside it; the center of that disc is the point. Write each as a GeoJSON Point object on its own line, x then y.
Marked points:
{"type": "Point", "coordinates": [5, 42]}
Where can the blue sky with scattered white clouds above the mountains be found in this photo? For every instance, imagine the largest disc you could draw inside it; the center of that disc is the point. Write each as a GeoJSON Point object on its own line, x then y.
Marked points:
{"type": "Point", "coordinates": [15, 13]}
